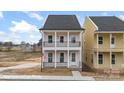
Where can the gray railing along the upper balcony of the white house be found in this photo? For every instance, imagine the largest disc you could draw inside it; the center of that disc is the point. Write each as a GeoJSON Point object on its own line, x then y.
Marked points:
{"type": "Point", "coordinates": [62, 44]}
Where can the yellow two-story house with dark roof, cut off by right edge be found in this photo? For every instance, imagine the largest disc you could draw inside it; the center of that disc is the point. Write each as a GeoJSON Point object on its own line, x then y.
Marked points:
{"type": "Point", "coordinates": [103, 42]}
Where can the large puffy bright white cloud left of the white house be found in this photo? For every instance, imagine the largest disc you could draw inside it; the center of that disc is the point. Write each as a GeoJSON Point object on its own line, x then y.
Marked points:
{"type": "Point", "coordinates": [22, 27]}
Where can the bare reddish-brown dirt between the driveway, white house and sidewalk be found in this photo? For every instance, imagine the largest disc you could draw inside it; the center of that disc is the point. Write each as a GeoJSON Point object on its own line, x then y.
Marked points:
{"type": "Point", "coordinates": [37, 71]}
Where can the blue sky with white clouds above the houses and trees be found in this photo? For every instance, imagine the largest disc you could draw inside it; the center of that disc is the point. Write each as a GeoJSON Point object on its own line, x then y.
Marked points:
{"type": "Point", "coordinates": [18, 26]}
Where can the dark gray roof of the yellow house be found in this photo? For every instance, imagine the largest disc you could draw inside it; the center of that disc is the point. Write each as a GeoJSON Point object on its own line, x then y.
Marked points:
{"type": "Point", "coordinates": [108, 23]}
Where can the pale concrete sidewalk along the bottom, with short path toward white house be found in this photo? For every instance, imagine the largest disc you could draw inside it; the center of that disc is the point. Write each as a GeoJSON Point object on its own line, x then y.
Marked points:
{"type": "Point", "coordinates": [76, 77]}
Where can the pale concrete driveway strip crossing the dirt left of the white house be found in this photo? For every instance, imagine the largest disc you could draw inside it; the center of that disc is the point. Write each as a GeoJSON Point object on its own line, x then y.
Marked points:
{"type": "Point", "coordinates": [25, 65]}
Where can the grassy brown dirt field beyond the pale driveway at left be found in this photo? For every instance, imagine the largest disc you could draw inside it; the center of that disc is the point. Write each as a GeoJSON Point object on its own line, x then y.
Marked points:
{"type": "Point", "coordinates": [13, 58]}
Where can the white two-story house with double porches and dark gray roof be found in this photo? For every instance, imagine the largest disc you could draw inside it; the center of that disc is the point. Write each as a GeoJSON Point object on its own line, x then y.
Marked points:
{"type": "Point", "coordinates": [62, 42]}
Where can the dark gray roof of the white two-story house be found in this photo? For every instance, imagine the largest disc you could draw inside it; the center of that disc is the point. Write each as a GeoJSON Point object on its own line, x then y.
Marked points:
{"type": "Point", "coordinates": [61, 22]}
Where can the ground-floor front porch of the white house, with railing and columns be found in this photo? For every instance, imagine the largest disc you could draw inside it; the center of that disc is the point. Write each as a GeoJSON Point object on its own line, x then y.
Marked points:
{"type": "Point", "coordinates": [62, 59]}
